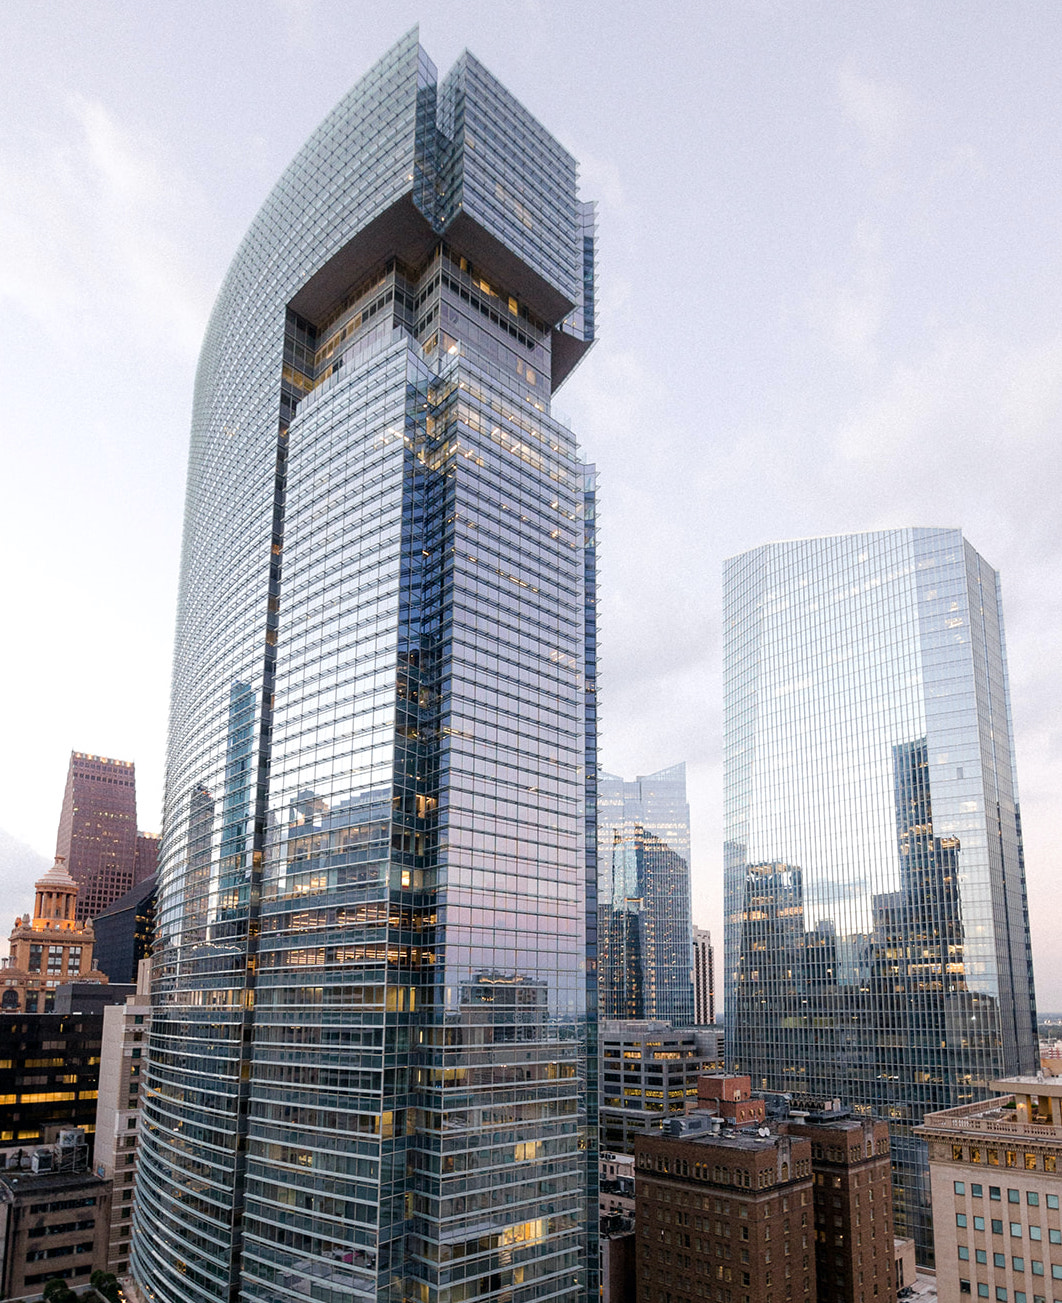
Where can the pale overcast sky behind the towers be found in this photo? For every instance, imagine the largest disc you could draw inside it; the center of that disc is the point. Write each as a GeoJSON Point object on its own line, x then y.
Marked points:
{"type": "Point", "coordinates": [829, 285]}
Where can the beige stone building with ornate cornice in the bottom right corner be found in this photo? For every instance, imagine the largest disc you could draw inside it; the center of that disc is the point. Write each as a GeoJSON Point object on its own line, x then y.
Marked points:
{"type": "Point", "coordinates": [996, 1171]}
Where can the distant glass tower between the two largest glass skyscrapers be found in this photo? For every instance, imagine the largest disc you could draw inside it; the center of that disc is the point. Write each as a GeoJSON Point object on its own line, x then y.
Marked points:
{"type": "Point", "coordinates": [644, 924]}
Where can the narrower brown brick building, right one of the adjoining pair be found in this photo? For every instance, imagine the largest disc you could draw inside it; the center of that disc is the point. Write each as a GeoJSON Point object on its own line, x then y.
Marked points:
{"type": "Point", "coordinates": [854, 1249]}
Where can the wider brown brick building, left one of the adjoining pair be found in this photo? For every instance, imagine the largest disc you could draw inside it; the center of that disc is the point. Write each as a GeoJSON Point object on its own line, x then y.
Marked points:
{"type": "Point", "coordinates": [725, 1219]}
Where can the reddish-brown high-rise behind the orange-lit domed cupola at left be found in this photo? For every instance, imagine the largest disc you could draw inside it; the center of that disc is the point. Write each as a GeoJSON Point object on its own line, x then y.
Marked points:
{"type": "Point", "coordinates": [98, 829]}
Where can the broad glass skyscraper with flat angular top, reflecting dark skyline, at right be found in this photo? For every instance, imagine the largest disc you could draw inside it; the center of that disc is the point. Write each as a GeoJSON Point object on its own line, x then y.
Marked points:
{"type": "Point", "coordinates": [878, 943]}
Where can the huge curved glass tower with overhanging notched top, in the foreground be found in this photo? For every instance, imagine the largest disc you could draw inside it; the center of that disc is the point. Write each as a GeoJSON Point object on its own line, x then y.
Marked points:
{"type": "Point", "coordinates": [371, 978]}
